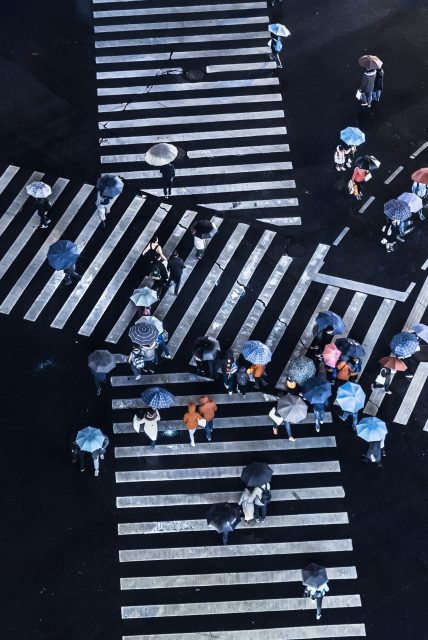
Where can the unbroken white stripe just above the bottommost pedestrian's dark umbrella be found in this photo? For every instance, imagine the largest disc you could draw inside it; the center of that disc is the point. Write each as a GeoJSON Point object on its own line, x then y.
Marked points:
{"type": "Point", "coordinates": [230, 551]}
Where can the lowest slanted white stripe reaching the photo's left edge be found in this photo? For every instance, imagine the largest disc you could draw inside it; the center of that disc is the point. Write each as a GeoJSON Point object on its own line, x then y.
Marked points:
{"type": "Point", "coordinates": [33, 267]}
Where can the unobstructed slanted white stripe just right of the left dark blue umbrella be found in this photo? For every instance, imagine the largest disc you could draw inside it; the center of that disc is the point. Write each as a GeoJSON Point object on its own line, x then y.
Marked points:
{"type": "Point", "coordinates": [94, 268]}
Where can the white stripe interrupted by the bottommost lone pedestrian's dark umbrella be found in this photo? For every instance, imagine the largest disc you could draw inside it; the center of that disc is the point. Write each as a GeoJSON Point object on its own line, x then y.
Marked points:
{"type": "Point", "coordinates": [225, 579]}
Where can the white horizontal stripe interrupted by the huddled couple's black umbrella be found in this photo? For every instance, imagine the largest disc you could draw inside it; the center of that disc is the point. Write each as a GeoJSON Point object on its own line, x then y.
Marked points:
{"type": "Point", "coordinates": [209, 473]}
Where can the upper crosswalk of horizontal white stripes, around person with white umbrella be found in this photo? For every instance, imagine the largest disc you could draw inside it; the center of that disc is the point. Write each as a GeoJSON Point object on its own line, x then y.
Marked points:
{"type": "Point", "coordinates": [170, 74]}
